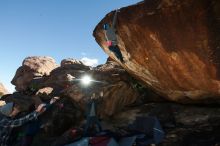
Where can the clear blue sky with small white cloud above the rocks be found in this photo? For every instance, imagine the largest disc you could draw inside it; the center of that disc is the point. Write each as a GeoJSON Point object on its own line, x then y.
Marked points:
{"type": "Point", "coordinates": [57, 28]}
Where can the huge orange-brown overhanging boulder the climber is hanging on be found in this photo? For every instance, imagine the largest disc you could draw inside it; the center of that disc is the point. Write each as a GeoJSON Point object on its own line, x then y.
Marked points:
{"type": "Point", "coordinates": [173, 46]}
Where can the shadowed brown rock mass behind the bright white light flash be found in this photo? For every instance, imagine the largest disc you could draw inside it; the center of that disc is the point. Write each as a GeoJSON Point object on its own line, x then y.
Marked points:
{"type": "Point", "coordinates": [109, 79]}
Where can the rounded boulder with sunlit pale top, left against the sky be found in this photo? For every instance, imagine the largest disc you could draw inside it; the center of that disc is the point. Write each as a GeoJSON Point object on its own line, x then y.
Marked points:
{"type": "Point", "coordinates": [32, 67]}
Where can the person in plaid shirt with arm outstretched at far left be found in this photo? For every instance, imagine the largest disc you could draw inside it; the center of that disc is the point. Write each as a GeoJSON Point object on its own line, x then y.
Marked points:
{"type": "Point", "coordinates": [7, 121]}
